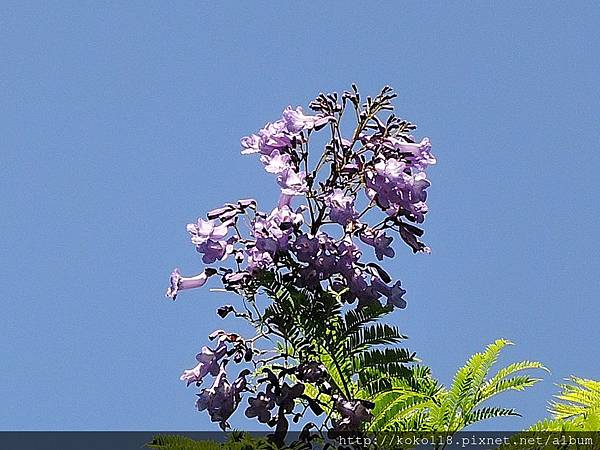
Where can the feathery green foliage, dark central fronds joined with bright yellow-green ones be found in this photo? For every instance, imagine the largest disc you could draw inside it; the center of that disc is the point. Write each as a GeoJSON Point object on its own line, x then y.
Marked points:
{"type": "Point", "coordinates": [363, 362]}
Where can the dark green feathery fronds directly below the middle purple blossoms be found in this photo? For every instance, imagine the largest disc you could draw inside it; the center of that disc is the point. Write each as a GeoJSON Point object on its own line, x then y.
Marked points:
{"type": "Point", "coordinates": [354, 348]}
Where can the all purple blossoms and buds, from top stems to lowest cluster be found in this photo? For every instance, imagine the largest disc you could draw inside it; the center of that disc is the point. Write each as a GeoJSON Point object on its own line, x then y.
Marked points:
{"type": "Point", "coordinates": [360, 191]}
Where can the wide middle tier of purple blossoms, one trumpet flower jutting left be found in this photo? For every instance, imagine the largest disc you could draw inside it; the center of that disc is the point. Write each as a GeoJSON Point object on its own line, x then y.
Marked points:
{"type": "Point", "coordinates": [278, 242]}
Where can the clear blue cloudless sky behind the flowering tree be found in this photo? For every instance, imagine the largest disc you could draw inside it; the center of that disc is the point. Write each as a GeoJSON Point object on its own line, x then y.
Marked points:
{"type": "Point", "coordinates": [121, 121]}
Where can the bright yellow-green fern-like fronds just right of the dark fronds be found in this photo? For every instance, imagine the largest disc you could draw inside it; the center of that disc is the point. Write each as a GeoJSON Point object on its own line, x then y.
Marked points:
{"type": "Point", "coordinates": [420, 403]}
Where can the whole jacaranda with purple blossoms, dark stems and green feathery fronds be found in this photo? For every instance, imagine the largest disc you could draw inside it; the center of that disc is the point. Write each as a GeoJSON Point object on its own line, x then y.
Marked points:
{"type": "Point", "coordinates": [307, 269]}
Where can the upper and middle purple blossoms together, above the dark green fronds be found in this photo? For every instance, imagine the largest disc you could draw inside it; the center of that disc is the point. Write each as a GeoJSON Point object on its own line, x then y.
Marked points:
{"type": "Point", "coordinates": [391, 171]}
